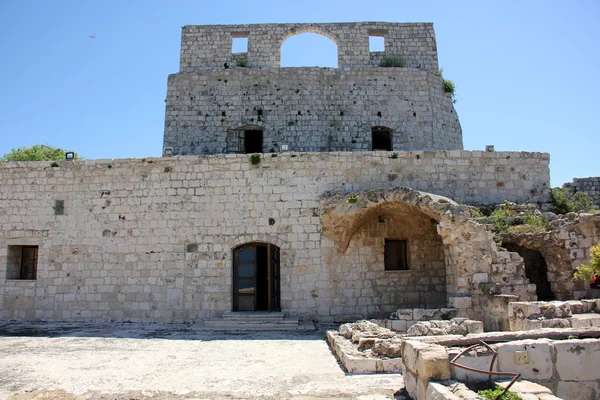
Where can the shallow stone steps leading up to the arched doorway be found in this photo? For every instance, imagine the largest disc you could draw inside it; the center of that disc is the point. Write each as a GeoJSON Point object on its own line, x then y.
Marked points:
{"type": "Point", "coordinates": [253, 321]}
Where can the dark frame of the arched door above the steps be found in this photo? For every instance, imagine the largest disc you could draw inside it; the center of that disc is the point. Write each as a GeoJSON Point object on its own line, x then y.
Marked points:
{"type": "Point", "coordinates": [273, 276]}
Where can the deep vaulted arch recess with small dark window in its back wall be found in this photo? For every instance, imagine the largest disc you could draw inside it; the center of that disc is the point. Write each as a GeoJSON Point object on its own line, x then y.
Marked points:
{"type": "Point", "coordinates": [390, 254]}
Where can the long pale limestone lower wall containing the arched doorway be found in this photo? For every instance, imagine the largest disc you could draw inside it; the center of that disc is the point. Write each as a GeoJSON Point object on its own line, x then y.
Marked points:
{"type": "Point", "coordinates": [152, 239]}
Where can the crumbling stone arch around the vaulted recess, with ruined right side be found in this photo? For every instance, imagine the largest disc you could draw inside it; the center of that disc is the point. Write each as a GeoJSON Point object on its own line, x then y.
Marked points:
{"type": "Point", "coordinates": [474, 271]}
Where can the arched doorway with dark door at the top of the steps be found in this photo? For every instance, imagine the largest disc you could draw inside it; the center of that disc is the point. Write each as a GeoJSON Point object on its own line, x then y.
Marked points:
{"type": "Point", "coordinates": [256, 277]}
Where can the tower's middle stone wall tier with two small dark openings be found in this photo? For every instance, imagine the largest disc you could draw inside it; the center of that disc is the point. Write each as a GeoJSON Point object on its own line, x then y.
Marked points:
{"type": "Point", "coordinates": [308, 109]}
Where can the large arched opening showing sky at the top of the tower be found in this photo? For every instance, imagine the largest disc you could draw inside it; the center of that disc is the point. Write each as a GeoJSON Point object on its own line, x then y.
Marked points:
{"type": "Point", "coordinates": [309, 50]}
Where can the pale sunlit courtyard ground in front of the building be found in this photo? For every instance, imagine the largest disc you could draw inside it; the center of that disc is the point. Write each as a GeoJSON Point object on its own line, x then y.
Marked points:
{"type": "Point", "coordinates": [44, 361]}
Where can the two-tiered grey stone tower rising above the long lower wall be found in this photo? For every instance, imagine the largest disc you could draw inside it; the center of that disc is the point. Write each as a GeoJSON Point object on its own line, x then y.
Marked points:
{"type": "Point", "coordinates": [224, 102]}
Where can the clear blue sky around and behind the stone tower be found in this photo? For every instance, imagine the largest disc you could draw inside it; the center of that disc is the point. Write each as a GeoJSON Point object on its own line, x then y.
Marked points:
{"type": "Point", "coordinates": [525, 71]}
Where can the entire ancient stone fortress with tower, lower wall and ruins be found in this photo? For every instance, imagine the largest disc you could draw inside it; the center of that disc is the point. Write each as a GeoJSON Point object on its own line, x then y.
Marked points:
{"type": "Point", "coordinates": [307, 194]}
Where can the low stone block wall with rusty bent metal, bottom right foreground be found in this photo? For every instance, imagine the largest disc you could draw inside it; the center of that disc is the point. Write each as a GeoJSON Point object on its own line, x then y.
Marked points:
{"type": "Point", "coordinates": [568, 368]}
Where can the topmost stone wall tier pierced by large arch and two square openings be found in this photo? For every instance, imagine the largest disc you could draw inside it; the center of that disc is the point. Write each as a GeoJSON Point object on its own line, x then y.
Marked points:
{"type": "Point", "coordinates": [210, 46]}
